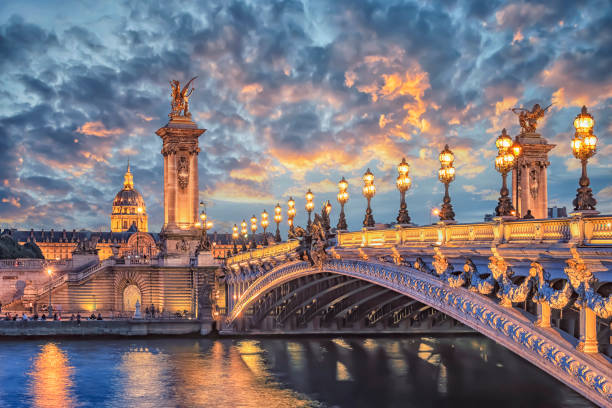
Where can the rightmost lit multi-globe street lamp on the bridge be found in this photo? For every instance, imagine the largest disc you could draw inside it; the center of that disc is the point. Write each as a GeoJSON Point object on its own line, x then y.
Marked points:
{"type": "Point", "coordinates": [584, 146]}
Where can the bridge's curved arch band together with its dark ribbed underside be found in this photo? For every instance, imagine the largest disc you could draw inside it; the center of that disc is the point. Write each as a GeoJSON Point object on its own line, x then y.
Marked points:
{"type": "Point", "coordinates": [371, 285]}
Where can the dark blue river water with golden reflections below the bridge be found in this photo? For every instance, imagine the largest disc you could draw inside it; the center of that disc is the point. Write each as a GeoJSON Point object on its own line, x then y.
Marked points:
{"type": "Point", "coordinates": [465, 371]}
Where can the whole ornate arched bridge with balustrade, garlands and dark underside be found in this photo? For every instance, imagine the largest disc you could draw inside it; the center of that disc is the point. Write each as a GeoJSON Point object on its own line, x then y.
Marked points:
{"type": "Point", "coordinates": [521, 283]}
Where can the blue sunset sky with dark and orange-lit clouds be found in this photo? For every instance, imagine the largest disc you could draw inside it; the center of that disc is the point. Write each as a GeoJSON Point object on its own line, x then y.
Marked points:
{"type": "Point", "coordinates": [294, 95]}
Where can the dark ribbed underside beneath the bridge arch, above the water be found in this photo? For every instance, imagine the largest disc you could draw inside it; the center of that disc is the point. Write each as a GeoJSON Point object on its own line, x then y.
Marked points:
{"type": "Point", "coordinates": [327, 301]}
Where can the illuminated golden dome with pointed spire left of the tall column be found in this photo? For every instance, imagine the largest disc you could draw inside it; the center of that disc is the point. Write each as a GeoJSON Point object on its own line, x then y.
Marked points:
{"type": "Point", "coordinates": [129, 208]}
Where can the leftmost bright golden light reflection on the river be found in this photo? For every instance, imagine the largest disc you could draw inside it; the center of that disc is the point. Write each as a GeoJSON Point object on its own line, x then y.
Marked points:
{"type": "Point", "coordinates": [50, 380]}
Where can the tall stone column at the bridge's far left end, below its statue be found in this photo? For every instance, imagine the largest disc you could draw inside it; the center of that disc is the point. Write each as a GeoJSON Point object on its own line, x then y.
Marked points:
{"type": "Point", "coordinates": [180, 151]}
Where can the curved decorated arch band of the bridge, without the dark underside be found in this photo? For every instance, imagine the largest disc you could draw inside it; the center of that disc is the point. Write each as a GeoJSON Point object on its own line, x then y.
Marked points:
{"type": "Point", "coordinates": [543, 347]}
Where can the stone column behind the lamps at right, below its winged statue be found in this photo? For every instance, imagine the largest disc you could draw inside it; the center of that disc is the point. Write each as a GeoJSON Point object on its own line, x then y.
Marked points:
{"type": "Point", "coordinates": [529, 180]}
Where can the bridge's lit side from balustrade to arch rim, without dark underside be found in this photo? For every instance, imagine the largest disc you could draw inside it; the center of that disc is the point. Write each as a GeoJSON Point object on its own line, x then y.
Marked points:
{"type": "Point", "coordinates": [484, 275]}
